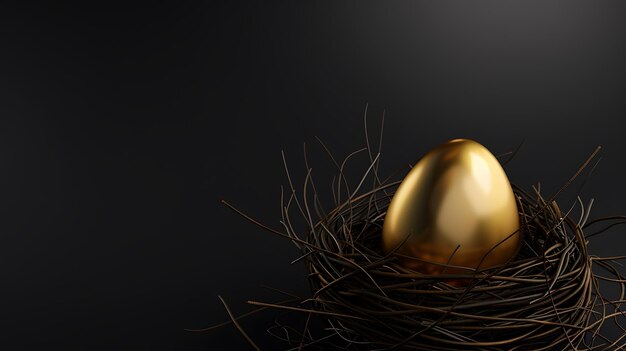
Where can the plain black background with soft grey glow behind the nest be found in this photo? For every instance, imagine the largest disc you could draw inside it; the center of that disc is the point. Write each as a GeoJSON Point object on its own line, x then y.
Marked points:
{"type": "Point", "coordinates": [121, 128]}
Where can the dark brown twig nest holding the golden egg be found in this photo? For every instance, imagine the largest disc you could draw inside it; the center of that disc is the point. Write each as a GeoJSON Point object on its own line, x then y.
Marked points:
{"type": "Point", "coordinates": [551, 296]}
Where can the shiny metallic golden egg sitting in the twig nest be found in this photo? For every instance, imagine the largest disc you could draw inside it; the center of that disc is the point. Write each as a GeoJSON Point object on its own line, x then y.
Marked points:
{"type": "Point", "coordinates": [456, 206]}
